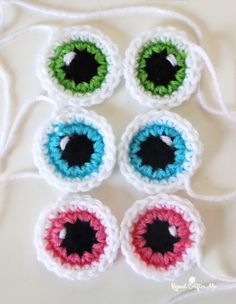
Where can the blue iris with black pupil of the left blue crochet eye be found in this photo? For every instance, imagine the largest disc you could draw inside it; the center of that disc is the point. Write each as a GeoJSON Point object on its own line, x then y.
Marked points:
{"type": "Point", "coordinates": [75, 149]}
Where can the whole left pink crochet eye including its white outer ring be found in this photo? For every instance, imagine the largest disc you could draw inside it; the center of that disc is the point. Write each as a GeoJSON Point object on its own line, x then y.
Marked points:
{"type": "Point", "coordinates": [77, 238]}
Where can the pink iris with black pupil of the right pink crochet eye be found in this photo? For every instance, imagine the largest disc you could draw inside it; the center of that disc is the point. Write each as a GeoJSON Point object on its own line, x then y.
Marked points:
{"type": "Point", "coordinates": [160, 237]}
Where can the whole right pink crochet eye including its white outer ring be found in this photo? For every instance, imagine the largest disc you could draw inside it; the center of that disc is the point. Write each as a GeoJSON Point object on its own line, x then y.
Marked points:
{"type": "Point", "coordinates": [161, 237]}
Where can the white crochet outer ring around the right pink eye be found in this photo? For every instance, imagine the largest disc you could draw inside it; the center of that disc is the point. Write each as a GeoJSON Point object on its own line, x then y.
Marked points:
{"type": "Point", "coordinates": [189, 213]}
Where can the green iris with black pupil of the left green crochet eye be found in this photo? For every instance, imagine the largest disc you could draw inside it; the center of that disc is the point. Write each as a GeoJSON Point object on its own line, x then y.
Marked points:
{"type": "Point", "coordinates": [79, 66]}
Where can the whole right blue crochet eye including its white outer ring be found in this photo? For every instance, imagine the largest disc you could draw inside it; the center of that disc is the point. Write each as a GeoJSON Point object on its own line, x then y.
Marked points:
{"type": "Point", "coordinates": [159, 151]}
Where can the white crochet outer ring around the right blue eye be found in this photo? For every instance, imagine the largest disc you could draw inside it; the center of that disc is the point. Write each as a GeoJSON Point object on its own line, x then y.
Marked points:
{"type": "Point", "coordinates": [192, 141]}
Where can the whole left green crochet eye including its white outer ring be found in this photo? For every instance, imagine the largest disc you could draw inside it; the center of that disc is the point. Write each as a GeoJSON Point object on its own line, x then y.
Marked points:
{"type": "Point", "coordinates": [80, 67]}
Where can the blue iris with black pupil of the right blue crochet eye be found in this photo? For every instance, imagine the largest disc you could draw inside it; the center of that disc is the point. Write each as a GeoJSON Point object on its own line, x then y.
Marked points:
{"type": "Point", "coordinates": [158, 152]}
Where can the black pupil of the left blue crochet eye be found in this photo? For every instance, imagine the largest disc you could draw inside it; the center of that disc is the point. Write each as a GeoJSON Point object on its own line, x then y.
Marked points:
{"type": "Point", "coordinates": [78, 150]}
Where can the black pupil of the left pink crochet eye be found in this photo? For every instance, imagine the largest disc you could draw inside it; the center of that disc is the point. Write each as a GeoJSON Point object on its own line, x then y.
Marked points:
{"type": "Point", "coordinates": [80, 238]}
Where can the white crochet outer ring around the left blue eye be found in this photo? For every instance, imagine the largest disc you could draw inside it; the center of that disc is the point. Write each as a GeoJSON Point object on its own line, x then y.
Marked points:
{"type": "Point", "coordinates": [48, 171]}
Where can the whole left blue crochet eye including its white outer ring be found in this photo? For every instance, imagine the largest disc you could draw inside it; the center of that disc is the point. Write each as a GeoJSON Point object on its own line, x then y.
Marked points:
{"type": "Point", "coordinates": [75, 152]}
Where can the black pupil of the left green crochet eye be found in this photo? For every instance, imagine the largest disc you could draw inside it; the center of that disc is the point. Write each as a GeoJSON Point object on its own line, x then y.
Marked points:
{"type": "Point", "coordinates": [82, 68]}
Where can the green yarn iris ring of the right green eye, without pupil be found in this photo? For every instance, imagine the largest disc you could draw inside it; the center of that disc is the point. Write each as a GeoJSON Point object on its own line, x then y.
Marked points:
{"type": "Point", "coordinates": [157, 47]}
